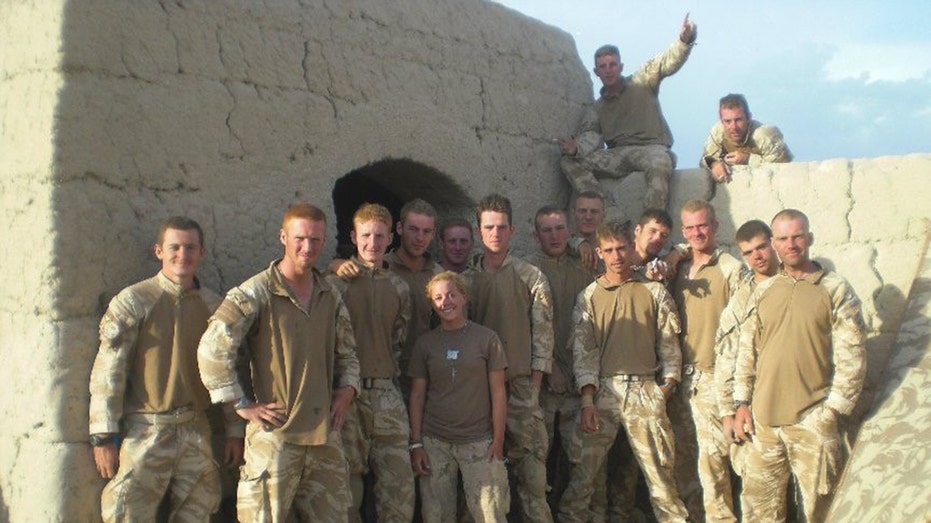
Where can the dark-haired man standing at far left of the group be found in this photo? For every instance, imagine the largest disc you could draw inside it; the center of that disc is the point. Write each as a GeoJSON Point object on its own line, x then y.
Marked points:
{"type": "Point", "coordinates": [145, 388]}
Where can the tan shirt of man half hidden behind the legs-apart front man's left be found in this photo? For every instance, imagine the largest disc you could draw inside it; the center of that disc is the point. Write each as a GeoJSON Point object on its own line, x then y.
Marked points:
{"type": "Point", "coordinates": [567, 278]}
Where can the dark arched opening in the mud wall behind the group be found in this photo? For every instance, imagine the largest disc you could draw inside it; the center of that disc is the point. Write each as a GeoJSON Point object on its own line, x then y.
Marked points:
{"type": "Point", "coordinates": [392, 182]}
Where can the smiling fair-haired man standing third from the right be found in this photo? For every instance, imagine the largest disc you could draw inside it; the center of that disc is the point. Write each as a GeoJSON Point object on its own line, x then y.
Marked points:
{"type": "Point", "coordinates": [703, 285]}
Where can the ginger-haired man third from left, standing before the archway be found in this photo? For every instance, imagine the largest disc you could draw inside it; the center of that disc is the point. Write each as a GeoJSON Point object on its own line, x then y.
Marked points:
{"type": "Point", "coordinates": [376, 429]}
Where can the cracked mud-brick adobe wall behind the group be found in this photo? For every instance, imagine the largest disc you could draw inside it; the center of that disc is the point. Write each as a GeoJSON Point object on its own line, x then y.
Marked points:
{"type": "Point", "coordinates": [115, 115]}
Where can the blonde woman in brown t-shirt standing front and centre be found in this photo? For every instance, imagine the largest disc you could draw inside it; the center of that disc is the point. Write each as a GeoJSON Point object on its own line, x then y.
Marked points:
{"type": "Point", "coordinates": [458, 410]}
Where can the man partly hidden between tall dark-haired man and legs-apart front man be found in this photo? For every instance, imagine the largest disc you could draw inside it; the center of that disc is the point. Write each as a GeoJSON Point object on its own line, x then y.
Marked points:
{"type": "Point", "coordinates": [567, 278]}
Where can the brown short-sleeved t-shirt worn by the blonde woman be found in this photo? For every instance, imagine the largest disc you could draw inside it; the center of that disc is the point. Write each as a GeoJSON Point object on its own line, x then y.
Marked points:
{"type": "Point", "coordinates": [456, 366]}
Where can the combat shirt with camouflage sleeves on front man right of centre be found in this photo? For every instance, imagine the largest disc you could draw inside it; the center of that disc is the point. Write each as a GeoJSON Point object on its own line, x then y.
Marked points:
{"type": "Point", "coordinates": [626, 328]}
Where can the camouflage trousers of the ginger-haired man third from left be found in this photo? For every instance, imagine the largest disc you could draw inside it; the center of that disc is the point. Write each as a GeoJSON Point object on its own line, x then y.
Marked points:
{"type": "Point", "coordinates": [375, 437]}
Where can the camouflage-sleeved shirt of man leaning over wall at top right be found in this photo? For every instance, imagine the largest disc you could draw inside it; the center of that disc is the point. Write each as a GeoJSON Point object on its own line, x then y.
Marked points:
{"type": "Point", "coordinates": [763, 144]}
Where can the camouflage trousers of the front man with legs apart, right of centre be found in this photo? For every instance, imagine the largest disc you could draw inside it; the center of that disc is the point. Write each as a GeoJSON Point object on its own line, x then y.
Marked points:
{"type": "Point", "coordinates": [636, 405]}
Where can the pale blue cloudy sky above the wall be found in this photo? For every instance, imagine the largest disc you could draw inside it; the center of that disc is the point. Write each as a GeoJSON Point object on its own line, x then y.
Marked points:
{"type": "Point", "coordinates": [841, 79]}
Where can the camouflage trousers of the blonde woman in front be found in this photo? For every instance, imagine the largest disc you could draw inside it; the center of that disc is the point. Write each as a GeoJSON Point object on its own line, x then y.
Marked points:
{"type": "Point", "coordinates": [485, 484]}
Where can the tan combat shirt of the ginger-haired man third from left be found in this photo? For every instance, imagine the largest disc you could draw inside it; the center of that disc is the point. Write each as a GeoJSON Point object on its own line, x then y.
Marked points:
{"type": "Point", "coordinates": [379, 304]}
